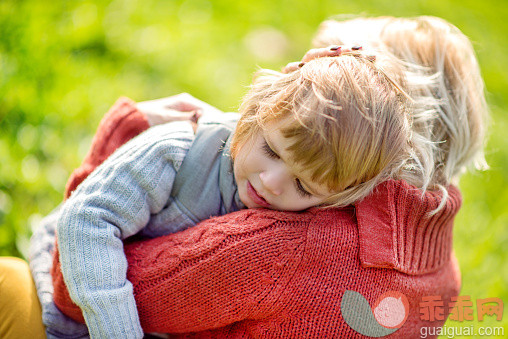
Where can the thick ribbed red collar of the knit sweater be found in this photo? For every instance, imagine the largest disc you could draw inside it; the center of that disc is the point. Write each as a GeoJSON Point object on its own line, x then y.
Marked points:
{"type": "Point", "coordinates": [397, 231]}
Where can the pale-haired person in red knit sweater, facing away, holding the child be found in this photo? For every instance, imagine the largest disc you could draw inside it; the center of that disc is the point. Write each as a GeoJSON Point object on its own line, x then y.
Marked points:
{"type": "Point", "coordinates": [274, 274]}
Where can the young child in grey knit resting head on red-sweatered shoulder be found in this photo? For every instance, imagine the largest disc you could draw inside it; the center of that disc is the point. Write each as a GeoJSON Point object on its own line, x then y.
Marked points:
{"type": "Point", "coordinates": [323, 135]}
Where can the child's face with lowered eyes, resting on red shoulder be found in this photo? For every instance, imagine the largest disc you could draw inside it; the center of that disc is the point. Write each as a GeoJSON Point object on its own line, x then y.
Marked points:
{"type": "Point", "coordinates": [266, 178]}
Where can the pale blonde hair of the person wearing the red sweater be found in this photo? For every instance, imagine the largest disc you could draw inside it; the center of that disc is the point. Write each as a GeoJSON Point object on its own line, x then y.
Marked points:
{"type": "Point", "coordinates": [442, 76]}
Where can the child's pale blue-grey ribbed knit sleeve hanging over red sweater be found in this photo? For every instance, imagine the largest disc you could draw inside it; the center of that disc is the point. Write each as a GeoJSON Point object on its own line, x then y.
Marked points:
{"type": "Point", "coordinates": [113, 203]}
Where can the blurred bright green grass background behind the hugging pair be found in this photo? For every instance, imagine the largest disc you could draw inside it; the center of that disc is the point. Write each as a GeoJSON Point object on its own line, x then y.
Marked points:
{"type": "Point", "coordinates": [63, 63]}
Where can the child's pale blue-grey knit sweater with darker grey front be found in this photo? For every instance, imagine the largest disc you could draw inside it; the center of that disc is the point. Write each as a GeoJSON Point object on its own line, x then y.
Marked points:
{"type": "Point", "coordinates": [161, 182]}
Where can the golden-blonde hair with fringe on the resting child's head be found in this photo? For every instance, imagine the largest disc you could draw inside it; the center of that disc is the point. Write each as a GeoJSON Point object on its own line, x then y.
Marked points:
{"type": "Point", "coordinates": [347, 122]}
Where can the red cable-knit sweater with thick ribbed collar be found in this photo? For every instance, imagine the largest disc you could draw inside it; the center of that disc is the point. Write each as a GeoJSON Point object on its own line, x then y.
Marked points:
{"type": "Point", "coordinates": [269, 274]}
